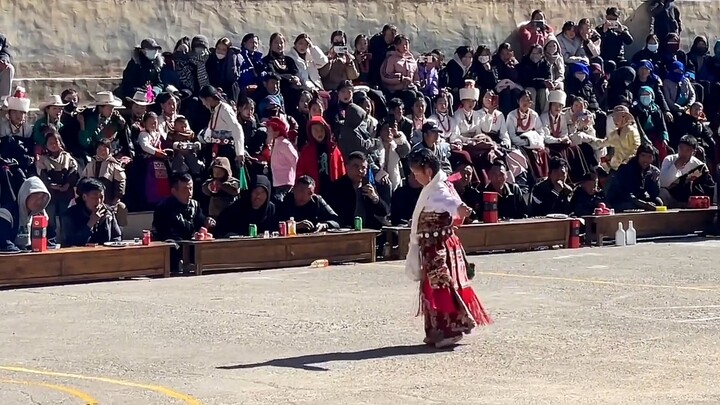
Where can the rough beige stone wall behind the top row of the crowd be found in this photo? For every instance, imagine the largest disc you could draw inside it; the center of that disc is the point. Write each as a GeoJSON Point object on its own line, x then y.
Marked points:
{"type": "Point", "coordinates": [81, 38]}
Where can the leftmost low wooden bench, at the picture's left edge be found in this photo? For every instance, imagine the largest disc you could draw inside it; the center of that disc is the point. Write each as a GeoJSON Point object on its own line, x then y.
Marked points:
{"type": "Point", "coordinates": [84, 264]}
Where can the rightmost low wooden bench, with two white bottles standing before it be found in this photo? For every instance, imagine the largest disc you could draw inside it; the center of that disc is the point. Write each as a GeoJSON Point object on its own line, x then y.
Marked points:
{"type": "Point", "coordinates": [649, 224]}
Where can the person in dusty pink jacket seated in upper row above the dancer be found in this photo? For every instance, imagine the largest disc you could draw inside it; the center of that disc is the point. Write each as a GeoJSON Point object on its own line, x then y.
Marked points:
{"type": "Point", "coordinates": [400, 73]}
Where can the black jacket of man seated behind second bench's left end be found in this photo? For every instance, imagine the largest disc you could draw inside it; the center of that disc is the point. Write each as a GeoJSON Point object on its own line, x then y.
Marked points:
{"type": "Point", "coordinates": [175, 221]}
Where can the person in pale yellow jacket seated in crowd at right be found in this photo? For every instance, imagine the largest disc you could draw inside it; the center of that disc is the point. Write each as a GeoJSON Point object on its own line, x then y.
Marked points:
{"type": "Point", "coordinates": [624, 139]}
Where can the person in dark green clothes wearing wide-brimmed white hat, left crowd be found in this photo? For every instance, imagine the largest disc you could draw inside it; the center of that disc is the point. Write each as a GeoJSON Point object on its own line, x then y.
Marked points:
{"type": "Point", "coordinates": [105, 122]}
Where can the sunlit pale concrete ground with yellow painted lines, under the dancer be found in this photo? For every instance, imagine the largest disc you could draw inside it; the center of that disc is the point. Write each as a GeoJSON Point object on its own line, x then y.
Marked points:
{"type": "Point", "coordinates": [635, 325]}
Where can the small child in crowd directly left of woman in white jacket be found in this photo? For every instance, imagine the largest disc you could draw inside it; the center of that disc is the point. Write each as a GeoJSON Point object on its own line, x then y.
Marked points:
{"type": "Point", "coordinates": [185, 145]}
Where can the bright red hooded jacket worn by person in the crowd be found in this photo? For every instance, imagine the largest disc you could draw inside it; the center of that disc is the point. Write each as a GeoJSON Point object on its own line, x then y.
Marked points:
{"type": "Point", "coordinates": [308, 159]}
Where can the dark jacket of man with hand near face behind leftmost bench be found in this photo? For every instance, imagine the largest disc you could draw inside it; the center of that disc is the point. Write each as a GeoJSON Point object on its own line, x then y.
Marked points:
{"type": "Point", "coordinates": [76, 232]}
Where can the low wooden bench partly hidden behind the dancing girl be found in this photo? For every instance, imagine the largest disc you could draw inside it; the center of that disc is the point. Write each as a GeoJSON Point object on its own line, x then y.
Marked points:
{"type": "Point", "coordinates": [521, 234]}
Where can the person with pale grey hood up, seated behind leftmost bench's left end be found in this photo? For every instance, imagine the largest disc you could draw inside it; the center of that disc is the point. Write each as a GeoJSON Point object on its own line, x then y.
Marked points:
{"type": "Point", "coordinates": [33, 199]}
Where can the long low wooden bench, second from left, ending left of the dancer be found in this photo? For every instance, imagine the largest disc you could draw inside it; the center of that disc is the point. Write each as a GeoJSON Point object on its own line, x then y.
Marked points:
{"type": "Point", "coordinates": [288, 251]}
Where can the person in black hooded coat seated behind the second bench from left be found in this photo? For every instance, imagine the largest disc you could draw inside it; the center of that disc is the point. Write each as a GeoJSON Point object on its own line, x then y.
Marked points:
{"type": "Point", "coordinates": [255, 208]}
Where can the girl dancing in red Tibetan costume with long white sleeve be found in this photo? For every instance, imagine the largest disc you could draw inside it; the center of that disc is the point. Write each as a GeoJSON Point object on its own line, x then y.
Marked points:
{"type": "Point", "coordinates": [436, 257]}
